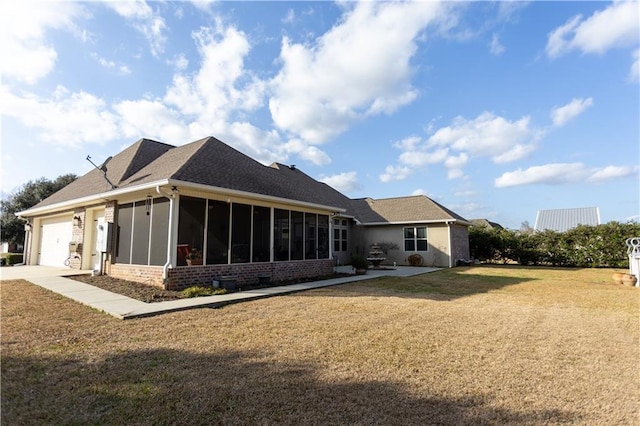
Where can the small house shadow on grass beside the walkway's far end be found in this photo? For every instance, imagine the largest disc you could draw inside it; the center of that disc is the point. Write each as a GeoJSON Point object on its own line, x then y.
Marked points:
{"type": "Point", "coordinates": [440, 285]}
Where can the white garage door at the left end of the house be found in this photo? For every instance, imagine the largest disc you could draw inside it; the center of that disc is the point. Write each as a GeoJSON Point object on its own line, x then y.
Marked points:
{"type": "Point", "coordinates": [54, 242]}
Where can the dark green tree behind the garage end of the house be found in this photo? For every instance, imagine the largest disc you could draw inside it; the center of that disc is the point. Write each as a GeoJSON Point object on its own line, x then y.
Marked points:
{"type": "Point", "coordinates": [26, 197]}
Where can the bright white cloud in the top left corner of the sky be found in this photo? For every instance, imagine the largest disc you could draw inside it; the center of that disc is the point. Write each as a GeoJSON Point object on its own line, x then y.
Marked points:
{"type": "Point", "coordinates": [27, 54]}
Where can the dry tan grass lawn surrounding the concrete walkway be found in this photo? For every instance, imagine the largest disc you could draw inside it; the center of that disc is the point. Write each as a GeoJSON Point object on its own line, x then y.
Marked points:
{"type": "Point", "coordinates": [479, 345]}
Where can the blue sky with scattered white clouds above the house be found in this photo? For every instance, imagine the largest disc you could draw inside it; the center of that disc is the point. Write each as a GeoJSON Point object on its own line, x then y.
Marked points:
{"type": "Point", "coordinates": [494, 109]}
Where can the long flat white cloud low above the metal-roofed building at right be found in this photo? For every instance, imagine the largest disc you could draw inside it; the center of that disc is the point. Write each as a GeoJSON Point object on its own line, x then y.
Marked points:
{"type": "Point", "coordinates": [562, 173]}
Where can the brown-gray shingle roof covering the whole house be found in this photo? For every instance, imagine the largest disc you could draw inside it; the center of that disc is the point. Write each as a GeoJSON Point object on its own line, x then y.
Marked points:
{"type": "Point", "coordinates": [211, 162]}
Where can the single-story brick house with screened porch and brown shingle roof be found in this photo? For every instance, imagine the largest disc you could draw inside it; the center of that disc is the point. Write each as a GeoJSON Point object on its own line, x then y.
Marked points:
{"type": "Point", "coordinates": [143, 213]}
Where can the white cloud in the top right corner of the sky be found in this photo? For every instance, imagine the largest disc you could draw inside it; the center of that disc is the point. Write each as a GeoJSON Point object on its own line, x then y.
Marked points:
{"type": "Point", "coordinates": [616, 26]}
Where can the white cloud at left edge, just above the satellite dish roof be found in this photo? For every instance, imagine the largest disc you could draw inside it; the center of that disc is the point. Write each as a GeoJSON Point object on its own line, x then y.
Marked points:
{"type": "Point", "coordinates": [65, 119]}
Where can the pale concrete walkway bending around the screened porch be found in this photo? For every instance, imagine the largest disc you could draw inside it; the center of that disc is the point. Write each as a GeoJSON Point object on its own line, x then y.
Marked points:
{"type": "Point", "coordinates": [125, 307]}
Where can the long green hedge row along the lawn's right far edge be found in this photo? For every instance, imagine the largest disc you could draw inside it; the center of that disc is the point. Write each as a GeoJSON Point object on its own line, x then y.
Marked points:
{"type": "Point", "coordinates": [583, 246]}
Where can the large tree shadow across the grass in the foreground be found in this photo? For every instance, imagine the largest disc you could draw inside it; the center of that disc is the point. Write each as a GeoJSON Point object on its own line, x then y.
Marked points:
{"type": "Point", "coordinates": [177, 387]}
